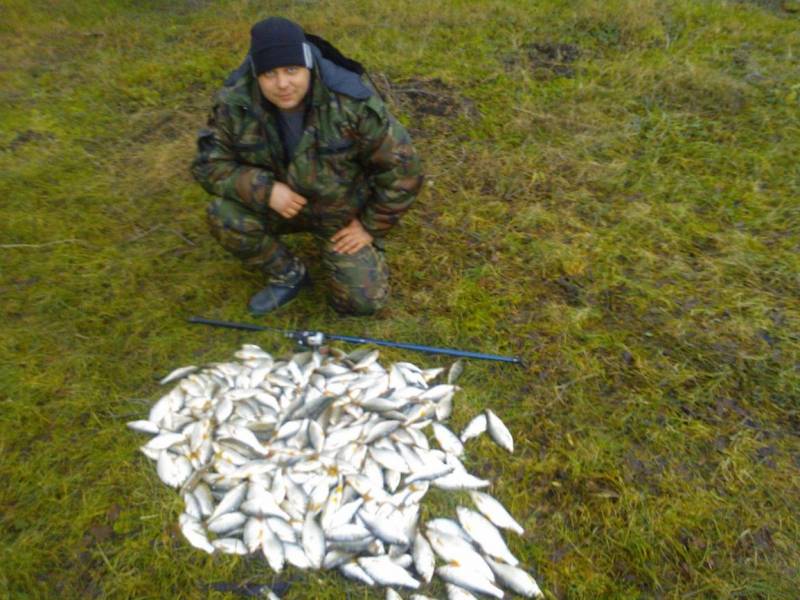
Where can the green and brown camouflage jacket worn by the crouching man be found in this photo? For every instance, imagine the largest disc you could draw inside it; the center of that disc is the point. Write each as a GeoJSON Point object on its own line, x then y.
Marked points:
{"type": "Point", "coordinates": [354, 157]}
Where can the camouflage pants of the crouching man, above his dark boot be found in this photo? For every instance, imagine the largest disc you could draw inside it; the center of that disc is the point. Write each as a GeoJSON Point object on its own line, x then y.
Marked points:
{"type": "Point", "coordinates": [358, 283]}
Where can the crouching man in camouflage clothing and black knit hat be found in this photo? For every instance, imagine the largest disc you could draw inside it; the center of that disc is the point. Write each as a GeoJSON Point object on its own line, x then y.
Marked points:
{"type": "Point", "coordinates": [298, 142]}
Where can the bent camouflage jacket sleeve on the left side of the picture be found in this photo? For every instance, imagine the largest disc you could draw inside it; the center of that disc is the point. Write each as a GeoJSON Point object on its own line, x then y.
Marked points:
{"type": "Point", "coordinates": [216, 167]}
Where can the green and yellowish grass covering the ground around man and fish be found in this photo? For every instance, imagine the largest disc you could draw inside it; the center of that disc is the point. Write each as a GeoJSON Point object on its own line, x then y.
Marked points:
{"type": "Point", "coordinates": [621, 212]}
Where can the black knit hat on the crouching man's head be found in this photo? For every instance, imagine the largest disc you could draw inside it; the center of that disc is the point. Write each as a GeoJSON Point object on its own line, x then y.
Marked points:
{"type": "Point", "coordinates": [278, 42]}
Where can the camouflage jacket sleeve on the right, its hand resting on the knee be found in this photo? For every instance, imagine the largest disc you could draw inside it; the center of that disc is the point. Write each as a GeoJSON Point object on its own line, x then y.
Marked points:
{"type": "Point", "coordinates": [391, 164]}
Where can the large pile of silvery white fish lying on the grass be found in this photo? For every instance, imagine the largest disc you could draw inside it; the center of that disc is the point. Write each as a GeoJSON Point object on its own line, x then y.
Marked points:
{"type": "Point", "coordinates": [321, 462]}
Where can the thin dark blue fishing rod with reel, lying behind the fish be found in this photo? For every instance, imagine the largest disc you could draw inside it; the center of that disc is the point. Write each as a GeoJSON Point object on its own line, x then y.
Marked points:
{"type": "Point", "coordinates": [314, 339]}
